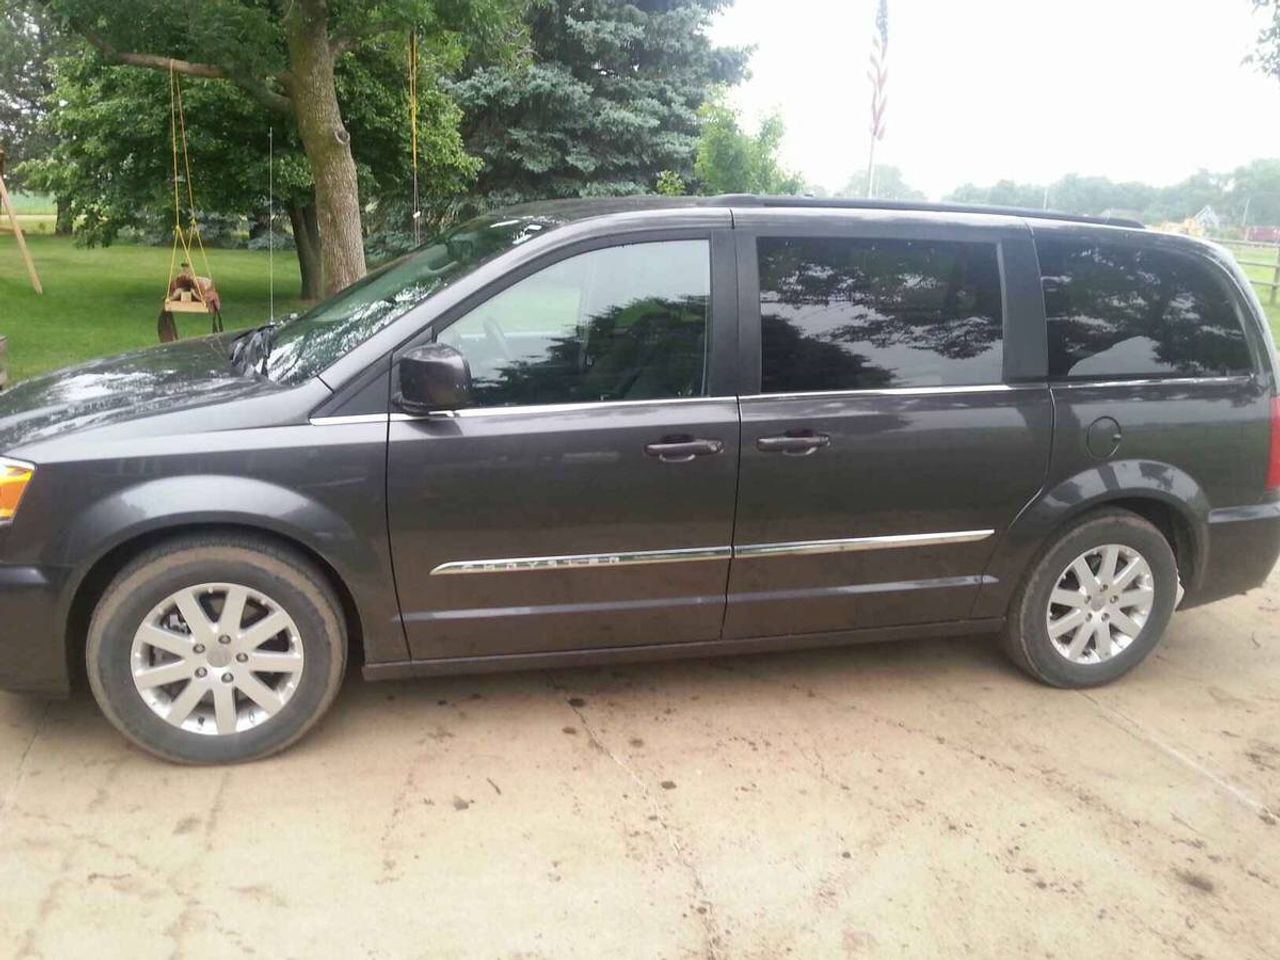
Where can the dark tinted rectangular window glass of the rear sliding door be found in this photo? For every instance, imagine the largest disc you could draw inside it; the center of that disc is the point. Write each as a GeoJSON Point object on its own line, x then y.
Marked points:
{"type": "Point", "coordinates": [844, 314]}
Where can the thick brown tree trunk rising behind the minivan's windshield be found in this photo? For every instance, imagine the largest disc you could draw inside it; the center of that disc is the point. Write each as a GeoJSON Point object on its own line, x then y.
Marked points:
{"type": "Point", "coordinates": [326, 141]}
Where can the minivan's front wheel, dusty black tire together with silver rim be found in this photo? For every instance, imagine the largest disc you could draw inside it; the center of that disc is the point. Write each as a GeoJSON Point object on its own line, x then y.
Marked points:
{"type": "Point", "coordinates": [195, 694]}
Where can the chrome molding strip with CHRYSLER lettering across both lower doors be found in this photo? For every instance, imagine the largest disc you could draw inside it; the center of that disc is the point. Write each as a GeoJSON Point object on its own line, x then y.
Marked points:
{"type": "Point", "coordinates": [794, 548]}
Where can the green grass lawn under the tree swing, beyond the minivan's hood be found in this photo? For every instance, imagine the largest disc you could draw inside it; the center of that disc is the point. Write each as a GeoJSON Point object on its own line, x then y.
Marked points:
{"type": "Point", "coordinates": [106, 300]}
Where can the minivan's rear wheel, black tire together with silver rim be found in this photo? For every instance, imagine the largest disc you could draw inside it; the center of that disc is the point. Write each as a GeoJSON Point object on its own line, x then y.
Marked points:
{"type": "Point", "coordinates": [1067, 650]}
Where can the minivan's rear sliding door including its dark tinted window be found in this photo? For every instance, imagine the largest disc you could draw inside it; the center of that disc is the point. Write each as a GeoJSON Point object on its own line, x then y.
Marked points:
{"type": "Point", "coordinates": [897, 419]}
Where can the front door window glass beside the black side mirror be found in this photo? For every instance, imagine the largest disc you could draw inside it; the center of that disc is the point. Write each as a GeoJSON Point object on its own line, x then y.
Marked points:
{"type": "Point", "coordinates": [616, 324]}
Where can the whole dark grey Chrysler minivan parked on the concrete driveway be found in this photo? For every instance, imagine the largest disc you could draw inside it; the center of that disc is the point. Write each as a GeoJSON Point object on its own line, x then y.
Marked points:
{"type": "Point", "coordinates": [625, 429]}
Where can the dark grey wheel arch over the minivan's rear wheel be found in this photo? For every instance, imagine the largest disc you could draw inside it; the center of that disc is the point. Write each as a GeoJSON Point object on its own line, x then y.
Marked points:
{"type": "Point", "coordinates": [1163, 495]}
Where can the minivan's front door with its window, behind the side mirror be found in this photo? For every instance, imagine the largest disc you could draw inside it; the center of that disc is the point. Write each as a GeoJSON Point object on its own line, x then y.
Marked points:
{"type": "Point", "coordinates": [587, 499]}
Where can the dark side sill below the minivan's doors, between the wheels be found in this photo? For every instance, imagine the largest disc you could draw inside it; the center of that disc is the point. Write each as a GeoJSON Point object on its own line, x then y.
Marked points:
{"type": "Point", "coordinates": [555, 660]}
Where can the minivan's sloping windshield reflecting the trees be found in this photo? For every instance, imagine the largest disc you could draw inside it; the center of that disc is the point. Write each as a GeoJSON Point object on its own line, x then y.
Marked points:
{"type": "Point", "coordinates": [301, 349]}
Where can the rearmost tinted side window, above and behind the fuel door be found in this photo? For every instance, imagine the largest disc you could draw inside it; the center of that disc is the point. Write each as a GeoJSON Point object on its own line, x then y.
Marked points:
{"type": "Point", "coordinates": [1118, 313]}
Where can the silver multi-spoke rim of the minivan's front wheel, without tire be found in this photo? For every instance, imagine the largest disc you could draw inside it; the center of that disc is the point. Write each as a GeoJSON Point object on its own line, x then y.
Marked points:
{"type": "Point", "coordinates": [217, 659]}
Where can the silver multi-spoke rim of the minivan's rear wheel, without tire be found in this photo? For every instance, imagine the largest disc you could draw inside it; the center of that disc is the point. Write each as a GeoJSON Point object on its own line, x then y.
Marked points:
{"type": "Point", "coordinates": [1101, 604]}
